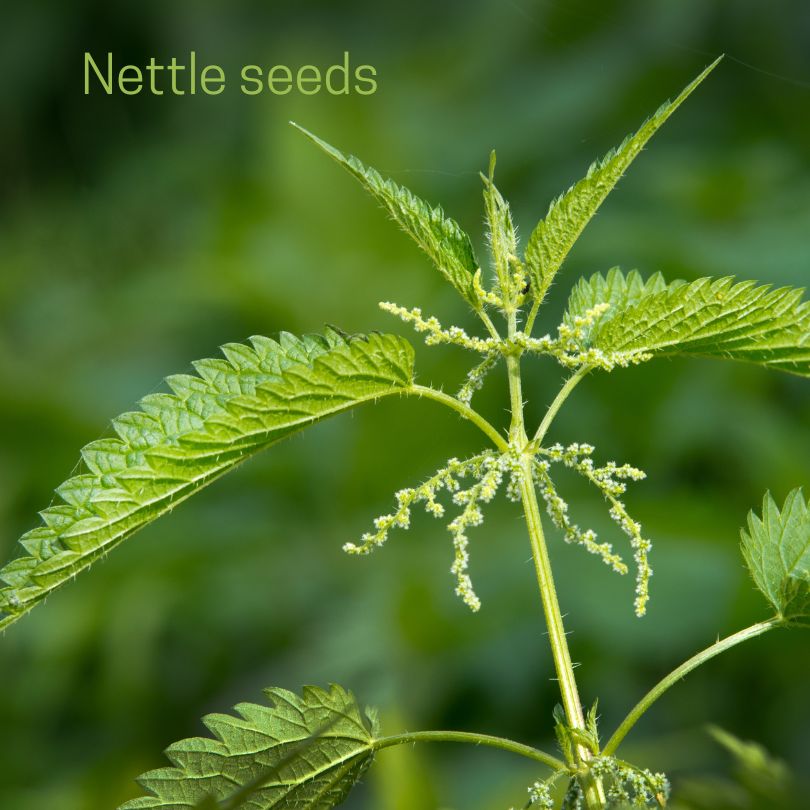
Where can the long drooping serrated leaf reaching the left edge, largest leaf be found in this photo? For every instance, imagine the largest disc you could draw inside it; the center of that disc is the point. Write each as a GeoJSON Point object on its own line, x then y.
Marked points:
{"type": "Point", "coordinates": [177, 443]}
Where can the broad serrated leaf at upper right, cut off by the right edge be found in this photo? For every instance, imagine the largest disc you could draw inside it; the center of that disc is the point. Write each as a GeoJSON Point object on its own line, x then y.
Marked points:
{"type": "Point", "coordinates": [707, 317]}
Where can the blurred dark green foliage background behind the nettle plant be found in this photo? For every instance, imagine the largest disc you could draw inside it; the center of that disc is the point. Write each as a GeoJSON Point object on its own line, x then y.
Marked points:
{"type": "Point", "coordinates": [139, 233]}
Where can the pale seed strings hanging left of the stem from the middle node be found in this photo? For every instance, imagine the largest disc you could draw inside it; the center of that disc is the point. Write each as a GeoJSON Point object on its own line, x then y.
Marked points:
{"type": "Point", "coordinates": [488, 470]}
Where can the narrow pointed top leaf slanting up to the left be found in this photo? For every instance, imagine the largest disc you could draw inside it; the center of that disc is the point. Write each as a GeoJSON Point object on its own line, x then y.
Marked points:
{"type": "Point", "coordinates": [439, 236]}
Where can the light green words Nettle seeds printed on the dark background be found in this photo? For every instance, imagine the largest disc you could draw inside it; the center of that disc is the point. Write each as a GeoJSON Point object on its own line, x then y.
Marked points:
{"type": "Point", "coordinates": [188, 77]}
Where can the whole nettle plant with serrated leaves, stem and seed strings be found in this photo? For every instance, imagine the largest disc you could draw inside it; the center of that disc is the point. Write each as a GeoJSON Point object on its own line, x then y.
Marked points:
{"type": "Point", "coordinates": [307, 750]}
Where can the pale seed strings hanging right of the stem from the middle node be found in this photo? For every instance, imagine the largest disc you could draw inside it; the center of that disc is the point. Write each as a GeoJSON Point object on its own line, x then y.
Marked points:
{"type": "Point", "coordinates": [610, 480]}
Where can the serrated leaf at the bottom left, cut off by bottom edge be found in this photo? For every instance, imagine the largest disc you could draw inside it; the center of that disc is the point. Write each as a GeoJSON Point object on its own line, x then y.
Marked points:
{"type": "Point", "coordinates": [302, 752]}
